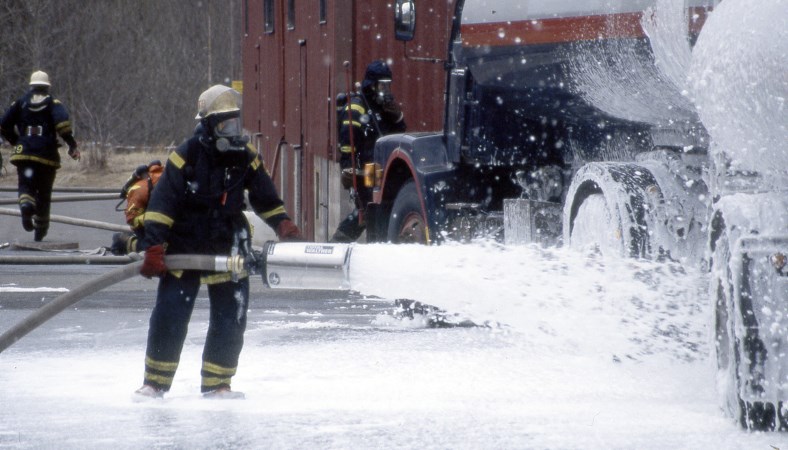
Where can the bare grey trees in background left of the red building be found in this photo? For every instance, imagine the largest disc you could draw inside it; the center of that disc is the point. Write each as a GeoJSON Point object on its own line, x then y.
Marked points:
{"type": "Point", "coordinates": [130, 71]}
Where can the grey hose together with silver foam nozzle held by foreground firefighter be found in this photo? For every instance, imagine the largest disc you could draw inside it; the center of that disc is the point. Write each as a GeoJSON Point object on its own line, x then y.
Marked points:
{"type": "Point", "coordinates": [285, 266]}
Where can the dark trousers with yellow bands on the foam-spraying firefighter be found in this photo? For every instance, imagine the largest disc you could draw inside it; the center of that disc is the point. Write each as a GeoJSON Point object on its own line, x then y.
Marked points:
{"type": "Point", "coordinates": [169, 323]}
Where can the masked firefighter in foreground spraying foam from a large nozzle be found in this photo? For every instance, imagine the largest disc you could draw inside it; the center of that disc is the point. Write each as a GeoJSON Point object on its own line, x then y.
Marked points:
{"type": "Point", "coordinates": [197, 208]}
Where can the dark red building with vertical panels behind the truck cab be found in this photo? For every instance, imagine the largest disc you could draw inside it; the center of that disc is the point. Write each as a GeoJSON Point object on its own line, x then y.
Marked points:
{"type": "Point", "coordinates": [293, 69]}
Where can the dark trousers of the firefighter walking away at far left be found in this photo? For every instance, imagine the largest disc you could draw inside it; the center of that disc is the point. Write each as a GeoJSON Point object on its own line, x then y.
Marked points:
{"type": "Point", "coordinates": [34, 187]}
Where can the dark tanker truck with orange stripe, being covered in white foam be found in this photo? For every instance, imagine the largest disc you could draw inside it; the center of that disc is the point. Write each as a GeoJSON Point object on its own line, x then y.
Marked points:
{"type": "Point", "coordinates": [573, 123]}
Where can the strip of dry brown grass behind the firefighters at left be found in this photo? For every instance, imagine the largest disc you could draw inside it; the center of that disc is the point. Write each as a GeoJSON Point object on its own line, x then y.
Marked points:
{"type": "Point", "coordinates": [104, 168]}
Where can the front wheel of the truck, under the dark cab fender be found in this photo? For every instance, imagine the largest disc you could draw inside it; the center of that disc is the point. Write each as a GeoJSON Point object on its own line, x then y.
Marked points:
{"type": "Point", "coordinates": [407, 223]}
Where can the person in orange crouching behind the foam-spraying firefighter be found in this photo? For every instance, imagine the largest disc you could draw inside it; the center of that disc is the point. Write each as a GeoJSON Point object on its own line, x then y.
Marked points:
{"type": "Point", "coordinates": [136, 191]}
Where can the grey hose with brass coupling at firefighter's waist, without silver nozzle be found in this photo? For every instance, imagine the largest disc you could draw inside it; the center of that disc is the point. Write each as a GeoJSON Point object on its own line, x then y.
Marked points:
{"type": "Point", "coordinates": [51, 309]}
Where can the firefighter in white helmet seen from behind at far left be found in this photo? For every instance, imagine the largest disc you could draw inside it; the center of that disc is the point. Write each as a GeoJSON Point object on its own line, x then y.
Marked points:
{"type": "Point", "coordinates": [31, 125]}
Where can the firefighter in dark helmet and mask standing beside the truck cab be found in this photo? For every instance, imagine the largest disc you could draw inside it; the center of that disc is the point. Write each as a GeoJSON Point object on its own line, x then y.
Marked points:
{"type": "Point", "coordinates": [369, 115]}
